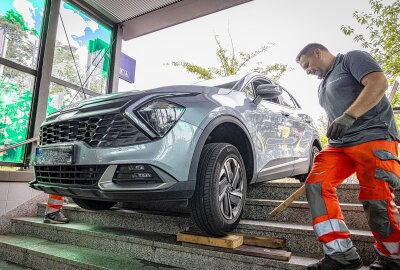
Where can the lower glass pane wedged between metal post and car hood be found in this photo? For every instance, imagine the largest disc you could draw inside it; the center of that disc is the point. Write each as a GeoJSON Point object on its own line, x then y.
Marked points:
{"type": "Point", "coordinates": [61, 96]}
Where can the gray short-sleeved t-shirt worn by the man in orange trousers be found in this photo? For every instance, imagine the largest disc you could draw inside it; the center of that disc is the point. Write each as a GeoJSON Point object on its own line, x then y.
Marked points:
{"type": "Point", "coordinates": [340, 88]}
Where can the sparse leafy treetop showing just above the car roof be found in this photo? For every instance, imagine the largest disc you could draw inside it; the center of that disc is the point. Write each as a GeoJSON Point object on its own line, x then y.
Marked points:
{"type": "Point", "coordinates": [232, 62]}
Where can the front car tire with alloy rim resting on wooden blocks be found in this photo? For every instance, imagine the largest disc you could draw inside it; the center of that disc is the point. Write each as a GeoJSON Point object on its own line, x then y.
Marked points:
{"type": "Point", "coordinates": [220, 195]}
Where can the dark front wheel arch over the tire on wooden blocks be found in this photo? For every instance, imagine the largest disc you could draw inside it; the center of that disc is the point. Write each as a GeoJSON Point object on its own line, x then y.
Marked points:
{"type": "Point", "coordinates": [231, 130]}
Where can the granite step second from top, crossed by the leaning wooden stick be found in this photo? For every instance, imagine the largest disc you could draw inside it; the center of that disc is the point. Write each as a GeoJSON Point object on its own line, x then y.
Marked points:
{"type": "Point", "coordinates": [299, 213]}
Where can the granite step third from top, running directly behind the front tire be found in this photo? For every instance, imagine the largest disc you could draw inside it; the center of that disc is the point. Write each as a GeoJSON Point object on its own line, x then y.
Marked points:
{"type": "Point", "coordinates": [300, 238]}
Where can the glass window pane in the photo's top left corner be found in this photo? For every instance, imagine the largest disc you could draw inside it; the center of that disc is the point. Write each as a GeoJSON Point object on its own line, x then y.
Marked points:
{"type": "Point", "coordinates": [20, 28]}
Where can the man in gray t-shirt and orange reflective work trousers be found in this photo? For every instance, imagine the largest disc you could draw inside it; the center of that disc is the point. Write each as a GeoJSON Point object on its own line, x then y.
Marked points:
{"type": "Point", "coordinates": [363, 138]}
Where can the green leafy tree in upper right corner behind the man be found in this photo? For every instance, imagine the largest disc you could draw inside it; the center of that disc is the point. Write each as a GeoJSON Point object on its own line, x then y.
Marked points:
{"type": "Point", "coordinates": [383, 37]}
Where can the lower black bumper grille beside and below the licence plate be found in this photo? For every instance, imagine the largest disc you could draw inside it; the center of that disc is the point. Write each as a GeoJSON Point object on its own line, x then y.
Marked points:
{"type": "Point", "coordinates": [85, 175]}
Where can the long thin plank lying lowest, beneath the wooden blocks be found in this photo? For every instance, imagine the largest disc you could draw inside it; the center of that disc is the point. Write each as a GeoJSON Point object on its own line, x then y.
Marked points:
{"type": "Point", "coordinates": [274, 254]}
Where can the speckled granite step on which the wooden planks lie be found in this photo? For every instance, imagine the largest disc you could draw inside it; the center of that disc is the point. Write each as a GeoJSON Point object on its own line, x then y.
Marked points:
{"type": "Point", "coordinates": [156, 247]}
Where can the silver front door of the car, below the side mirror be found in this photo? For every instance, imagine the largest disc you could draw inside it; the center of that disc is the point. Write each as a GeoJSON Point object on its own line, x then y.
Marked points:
{"type": "Point", "coordinates": [274, 158]}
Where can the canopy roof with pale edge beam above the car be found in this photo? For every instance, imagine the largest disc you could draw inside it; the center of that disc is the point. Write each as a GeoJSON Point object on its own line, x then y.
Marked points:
{"type": "Point", "coordinates": [141, 17]}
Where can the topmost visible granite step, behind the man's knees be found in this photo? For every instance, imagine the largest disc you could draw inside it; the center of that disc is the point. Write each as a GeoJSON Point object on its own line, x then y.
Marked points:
{"type": "Point", "coordinates": [347, 193]}
